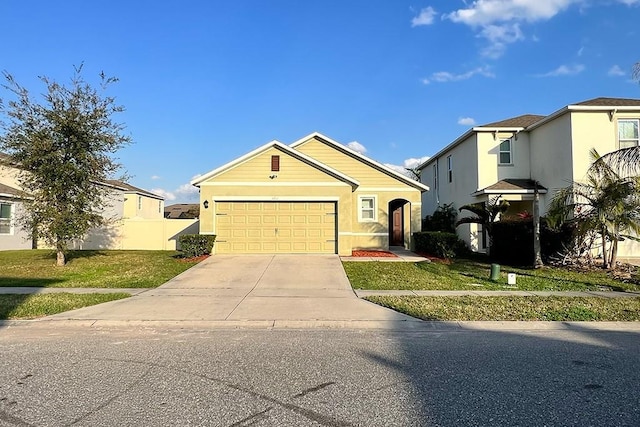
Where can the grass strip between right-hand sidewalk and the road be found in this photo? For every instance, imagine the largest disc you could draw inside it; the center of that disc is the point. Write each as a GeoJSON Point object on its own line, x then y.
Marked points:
{"type": "Point", "coordinates": [513, 308]}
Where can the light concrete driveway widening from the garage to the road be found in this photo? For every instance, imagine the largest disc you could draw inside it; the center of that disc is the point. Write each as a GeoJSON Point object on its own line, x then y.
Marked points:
{"type": "Point", "coordinates": [248, 291]}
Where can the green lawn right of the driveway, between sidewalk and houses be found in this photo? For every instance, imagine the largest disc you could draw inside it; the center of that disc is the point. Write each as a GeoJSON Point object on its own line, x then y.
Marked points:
{"type": "Point", "coordinates": [473, 275]}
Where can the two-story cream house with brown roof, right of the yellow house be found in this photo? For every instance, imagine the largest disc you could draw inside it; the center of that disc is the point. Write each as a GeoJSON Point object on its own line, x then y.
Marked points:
{"type": "Point", "coordinates": [511, 158]}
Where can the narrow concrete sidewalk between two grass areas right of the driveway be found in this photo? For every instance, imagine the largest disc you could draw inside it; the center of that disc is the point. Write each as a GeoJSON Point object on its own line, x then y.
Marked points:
{"type": "Point", "coordinates": [601, 294]}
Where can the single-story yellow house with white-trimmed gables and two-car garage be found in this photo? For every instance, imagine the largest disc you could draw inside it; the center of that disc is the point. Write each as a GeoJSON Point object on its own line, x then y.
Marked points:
{"type": "Point", "coordinates": [313, 196]}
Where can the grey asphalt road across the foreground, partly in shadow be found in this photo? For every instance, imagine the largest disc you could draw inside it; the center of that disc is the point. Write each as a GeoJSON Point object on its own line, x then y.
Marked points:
{"type": "Point", "coordinates": [85, 377]}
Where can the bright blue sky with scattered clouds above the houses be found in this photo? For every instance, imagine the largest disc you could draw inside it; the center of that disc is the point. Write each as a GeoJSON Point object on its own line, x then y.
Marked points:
{"type": "Point", "coordinates": [204, 82]}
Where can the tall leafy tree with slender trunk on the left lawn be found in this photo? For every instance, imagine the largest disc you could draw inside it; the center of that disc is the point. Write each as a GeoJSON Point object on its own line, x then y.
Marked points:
{"type": "Point", "coordinates": [63, 146]}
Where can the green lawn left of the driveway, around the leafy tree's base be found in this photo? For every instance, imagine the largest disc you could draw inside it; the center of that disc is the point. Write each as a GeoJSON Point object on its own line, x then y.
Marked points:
{"type": "Point", "coordinates": [90, 269]}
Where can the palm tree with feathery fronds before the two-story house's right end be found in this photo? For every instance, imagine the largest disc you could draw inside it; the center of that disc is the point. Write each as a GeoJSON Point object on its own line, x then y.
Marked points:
{"type": "Point", "coordinates": [606, 203]}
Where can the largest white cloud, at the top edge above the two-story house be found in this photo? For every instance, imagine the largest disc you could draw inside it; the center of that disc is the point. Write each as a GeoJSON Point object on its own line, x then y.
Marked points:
{"type": "Point", "coordinates": [498, 21]}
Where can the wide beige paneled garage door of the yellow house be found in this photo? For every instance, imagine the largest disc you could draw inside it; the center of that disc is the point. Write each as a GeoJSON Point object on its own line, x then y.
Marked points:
{"type": "Point", "coordinates": [275, 227]}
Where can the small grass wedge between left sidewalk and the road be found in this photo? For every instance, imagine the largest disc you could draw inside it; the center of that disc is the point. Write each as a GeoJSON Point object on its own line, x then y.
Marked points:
{"type": "Point", "coordinates": [14, 307]}
